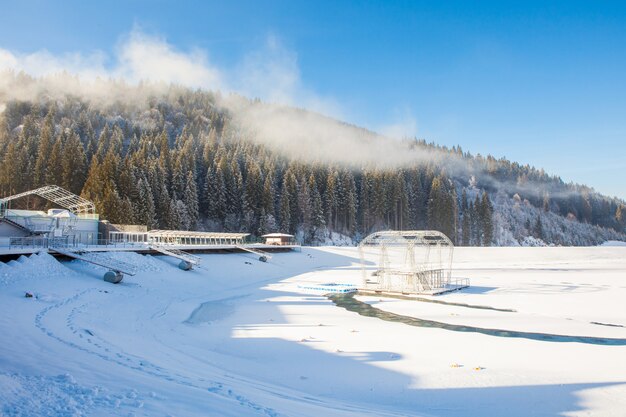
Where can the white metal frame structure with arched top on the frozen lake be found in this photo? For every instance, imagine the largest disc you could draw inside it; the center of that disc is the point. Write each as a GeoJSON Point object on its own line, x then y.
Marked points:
{"type": "Point", "coordinates": [407, 262]}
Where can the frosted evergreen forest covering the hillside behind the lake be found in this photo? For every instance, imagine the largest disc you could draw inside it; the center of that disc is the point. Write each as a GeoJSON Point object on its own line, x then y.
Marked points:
{"type": "Point", "coordinates": [181, 159]}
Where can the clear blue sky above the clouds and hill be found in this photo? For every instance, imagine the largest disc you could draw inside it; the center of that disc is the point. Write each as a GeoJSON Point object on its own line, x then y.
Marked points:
{"type": "Point", "coordinates": [542, 83]}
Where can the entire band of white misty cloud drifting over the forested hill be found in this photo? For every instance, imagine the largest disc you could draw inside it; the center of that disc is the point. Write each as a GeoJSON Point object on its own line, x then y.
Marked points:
{"type": "Point", "coordinates": [144, 64]}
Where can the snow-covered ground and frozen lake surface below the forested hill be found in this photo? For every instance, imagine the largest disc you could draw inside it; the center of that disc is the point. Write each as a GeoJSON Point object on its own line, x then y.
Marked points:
{"type": "Point", "coordinates": [239, 337]}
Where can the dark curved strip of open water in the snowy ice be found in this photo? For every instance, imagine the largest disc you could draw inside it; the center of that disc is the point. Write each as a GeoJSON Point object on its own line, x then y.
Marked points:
{"type": "Point", "coordinates": [350, 303]}
